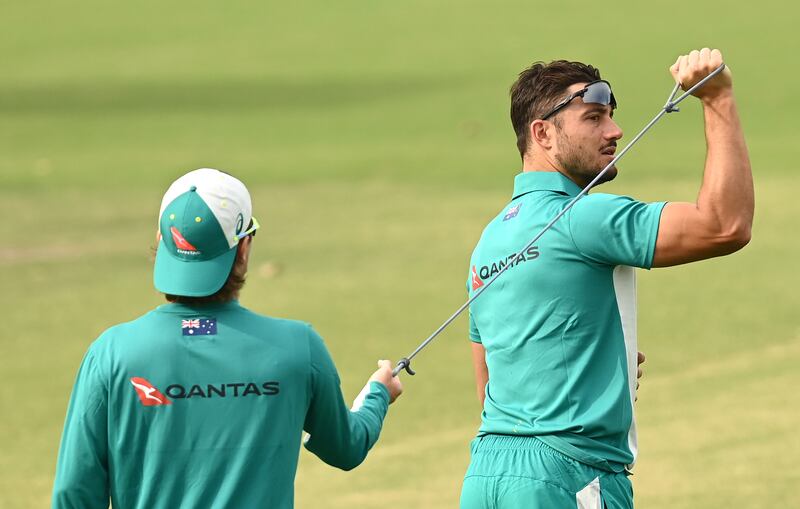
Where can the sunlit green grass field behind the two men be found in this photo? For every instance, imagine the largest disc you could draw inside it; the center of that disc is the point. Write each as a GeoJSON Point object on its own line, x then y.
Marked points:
{"type": "Point", "coordinates": [375, 140]}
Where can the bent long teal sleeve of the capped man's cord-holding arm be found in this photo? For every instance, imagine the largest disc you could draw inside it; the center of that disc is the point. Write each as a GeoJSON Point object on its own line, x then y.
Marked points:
{"type": "Point", "coordinates": [339, 436]}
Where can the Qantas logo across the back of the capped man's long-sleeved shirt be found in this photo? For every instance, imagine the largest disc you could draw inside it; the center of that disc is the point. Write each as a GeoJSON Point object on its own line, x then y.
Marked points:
{"type": "Point", "coordinates": [150, 396]}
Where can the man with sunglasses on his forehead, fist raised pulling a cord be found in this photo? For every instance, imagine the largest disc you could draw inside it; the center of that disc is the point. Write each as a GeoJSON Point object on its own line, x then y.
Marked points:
{"type": "Point", "coordinates": [554, 339]}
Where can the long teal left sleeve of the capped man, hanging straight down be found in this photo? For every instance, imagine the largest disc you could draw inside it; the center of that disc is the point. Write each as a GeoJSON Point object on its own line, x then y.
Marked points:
{"type": "Point", "coordinates": [82, 469]}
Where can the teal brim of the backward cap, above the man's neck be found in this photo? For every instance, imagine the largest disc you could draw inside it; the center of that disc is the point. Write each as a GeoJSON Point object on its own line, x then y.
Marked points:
{"type": "Point", "coordinates": [174, 276]}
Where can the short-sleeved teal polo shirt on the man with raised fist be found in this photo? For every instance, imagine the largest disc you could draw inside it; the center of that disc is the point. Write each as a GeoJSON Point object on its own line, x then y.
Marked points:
{"type": "Point", "coordinates": [559, 326]}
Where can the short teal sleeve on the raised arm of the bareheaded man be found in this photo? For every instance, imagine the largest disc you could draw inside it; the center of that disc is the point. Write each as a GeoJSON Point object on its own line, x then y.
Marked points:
{"type": "Point", "coordinates": [616, 230]}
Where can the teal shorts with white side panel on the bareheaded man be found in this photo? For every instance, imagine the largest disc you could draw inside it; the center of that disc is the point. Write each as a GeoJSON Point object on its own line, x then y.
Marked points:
{"type": "Point", "coordinates": [508, 472]}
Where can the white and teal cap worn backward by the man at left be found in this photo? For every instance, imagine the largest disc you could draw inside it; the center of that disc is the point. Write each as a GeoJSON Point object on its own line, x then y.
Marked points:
{"type": "Point", "coordinates": [203, 216]}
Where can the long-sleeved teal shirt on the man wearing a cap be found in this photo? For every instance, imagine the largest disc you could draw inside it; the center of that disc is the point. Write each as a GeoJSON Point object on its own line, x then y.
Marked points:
{"type": "Point", "coordinates": [205, 407]}
